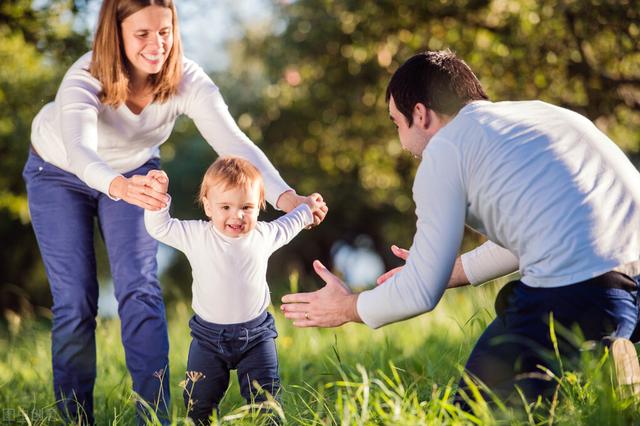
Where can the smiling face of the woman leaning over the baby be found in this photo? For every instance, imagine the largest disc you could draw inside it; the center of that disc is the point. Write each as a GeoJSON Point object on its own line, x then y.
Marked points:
{"type": "Point", "coordinates": [148, 37]}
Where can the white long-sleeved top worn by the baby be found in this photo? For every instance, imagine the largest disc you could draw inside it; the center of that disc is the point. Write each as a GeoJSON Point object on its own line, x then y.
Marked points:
{"type": "Point", "coordinates": [229, 274]}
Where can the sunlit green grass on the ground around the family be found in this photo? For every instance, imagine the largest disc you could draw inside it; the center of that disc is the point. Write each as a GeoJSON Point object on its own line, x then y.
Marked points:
{"type": "Point", "coordinates": [403, 374]}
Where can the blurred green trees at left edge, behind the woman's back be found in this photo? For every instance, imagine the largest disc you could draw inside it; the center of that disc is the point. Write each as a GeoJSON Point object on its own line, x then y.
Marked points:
{"type": "Point", "coordinates": [37, 44]}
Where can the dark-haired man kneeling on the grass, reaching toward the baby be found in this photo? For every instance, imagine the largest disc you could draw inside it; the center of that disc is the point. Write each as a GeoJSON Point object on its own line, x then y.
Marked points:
{"type": "Point", "coordinates": [556, 199]}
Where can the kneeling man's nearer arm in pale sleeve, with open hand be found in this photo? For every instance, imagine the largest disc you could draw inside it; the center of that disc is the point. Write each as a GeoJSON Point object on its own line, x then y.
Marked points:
{"type": "Point", "coordinates": [440, 206]}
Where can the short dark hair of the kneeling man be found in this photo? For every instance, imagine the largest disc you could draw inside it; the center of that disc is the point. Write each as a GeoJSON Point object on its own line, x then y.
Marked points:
{"type": "Point", "coordinates": [439, 80]}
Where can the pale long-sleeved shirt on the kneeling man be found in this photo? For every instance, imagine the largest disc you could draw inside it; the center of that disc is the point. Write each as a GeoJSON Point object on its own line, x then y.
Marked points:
{"type": "Point", "coordinates": [553, 194]}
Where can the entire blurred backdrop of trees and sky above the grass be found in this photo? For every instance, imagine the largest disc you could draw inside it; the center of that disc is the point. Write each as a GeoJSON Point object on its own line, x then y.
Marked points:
{"type": "Point", "coordinates": [306, 81]}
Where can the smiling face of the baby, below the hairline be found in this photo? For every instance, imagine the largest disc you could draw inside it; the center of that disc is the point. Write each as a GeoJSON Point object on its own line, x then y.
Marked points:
{"type": "Point", "coordinates": [233, 211]}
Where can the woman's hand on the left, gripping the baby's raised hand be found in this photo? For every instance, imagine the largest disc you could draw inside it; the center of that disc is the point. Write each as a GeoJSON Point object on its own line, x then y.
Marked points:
{"type": "Point", "coordinates": [138, 190]}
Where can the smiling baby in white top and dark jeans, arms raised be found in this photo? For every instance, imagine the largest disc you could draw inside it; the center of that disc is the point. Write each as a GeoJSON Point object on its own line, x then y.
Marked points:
{"type": "Point", "coordinates": [231, 328]}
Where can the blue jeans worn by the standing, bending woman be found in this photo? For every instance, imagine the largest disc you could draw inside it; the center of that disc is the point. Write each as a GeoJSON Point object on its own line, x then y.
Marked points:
{"type": "Point", "coordinates": [63, 212]}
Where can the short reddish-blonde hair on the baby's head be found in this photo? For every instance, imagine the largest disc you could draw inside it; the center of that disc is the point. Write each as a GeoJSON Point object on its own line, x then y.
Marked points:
{"type": "Point", "coordinates": [232, 172]}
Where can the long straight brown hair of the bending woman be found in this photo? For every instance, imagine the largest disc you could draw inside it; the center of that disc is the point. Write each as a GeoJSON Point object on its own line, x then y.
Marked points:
{"type": "Point", "coordinates": [109, 63]}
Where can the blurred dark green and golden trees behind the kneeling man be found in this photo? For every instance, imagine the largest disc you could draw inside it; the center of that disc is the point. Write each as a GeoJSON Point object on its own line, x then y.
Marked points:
{"type": "Point", "coordinates": [309, 89]}
